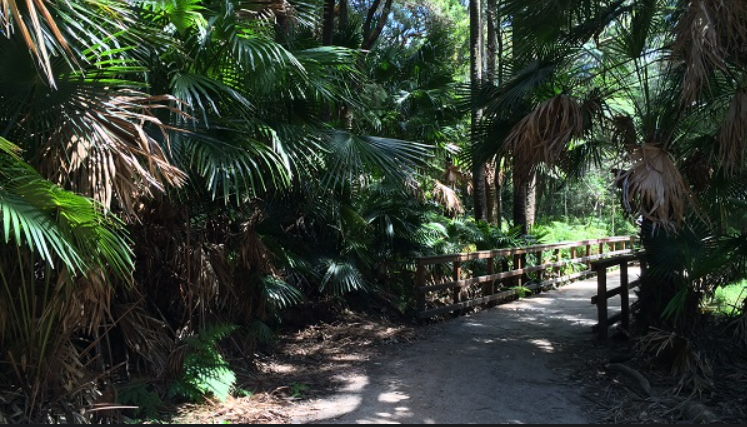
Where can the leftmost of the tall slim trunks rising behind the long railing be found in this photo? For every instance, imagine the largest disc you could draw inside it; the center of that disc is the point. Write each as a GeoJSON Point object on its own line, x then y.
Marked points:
{"type": "Point", "coordinates": [476, 69]}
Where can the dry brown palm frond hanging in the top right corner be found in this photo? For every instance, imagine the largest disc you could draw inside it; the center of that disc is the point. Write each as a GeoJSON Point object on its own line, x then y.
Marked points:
{"type": "Point", "coordinates": [710, 34]}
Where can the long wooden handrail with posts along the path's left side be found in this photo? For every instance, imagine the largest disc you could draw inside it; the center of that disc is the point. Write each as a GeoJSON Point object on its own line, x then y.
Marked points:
{"type": "Point", "coordinates": [516, 276]}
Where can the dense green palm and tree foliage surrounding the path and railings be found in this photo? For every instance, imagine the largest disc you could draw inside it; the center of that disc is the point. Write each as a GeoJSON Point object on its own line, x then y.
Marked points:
{"type": "Point", "coordinates": [178, 172]}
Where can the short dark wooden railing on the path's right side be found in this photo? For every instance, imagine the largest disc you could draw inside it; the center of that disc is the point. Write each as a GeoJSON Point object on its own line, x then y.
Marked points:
{"type": "Point", "coordinates": [601, 300]}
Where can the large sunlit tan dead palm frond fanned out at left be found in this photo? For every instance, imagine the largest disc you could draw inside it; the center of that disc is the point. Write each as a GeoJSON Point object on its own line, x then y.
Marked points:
{"type": "Point", "coordinates": [106, 152]}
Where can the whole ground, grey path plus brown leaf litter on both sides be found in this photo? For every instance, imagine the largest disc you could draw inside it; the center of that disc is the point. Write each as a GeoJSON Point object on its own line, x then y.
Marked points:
{"type": "Point", "coordinates": [530, 361]}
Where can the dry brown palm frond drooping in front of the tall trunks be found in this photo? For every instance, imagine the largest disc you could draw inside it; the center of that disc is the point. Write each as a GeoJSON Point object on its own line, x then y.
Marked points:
{"type": "Point", "coordinates": [543, 136]}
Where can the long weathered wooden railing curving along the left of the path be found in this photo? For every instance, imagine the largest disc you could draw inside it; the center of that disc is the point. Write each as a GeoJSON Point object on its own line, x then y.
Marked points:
{"type": "Point", "coordinates": [506, 273]}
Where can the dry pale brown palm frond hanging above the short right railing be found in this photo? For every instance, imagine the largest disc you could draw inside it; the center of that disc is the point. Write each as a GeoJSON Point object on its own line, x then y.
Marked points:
{"type": "Point", "coordinates": [655, 188]}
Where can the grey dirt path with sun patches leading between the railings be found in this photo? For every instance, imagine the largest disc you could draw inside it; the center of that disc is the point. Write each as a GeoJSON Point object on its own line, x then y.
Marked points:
{"type": "Point", "coordinates": [504, 365]}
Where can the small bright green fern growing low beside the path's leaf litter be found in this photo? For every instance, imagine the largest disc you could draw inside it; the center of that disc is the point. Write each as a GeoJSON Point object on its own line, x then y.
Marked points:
{"type": "Point", "coordinates": [206, 372]}
